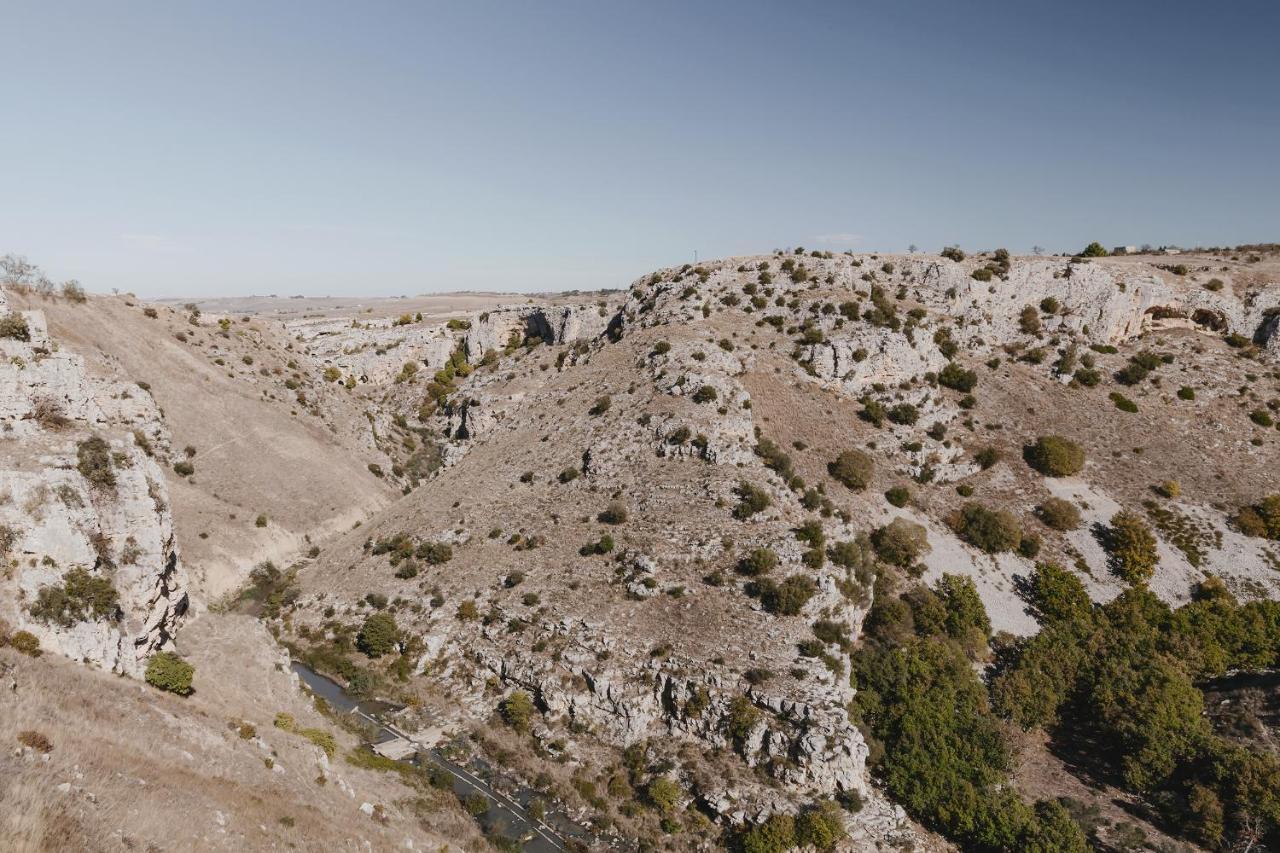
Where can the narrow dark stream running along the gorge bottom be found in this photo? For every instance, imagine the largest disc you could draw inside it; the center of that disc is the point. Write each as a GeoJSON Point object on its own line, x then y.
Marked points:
{"type": "Point", "coordinates": [508, 815]}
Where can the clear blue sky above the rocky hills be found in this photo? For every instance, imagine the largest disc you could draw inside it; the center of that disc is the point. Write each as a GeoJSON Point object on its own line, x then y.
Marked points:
{"type": "Point", "coordinates": [225, 148]}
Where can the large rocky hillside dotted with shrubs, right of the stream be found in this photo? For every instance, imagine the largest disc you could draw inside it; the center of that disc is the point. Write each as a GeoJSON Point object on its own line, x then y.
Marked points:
{"type": "Point", "coordinates": [602, 501]}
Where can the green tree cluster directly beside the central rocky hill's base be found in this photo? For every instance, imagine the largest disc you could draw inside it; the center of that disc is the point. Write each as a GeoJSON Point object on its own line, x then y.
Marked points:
{"type": "Point", "coordinates": [938, 746]}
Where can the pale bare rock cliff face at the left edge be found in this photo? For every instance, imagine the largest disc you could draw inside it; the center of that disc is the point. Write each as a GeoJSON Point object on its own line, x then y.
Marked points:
{"type": "Point", "coordinates": [85, 519]}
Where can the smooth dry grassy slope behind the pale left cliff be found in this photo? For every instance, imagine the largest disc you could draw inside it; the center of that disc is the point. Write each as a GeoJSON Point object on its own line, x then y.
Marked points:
{"type": "Point", "coordinates": [268, 436]}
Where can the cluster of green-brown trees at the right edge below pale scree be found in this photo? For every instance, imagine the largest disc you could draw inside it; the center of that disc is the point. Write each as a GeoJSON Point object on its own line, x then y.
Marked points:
{"type": "Point", "coordinates": [1123, 678]}
